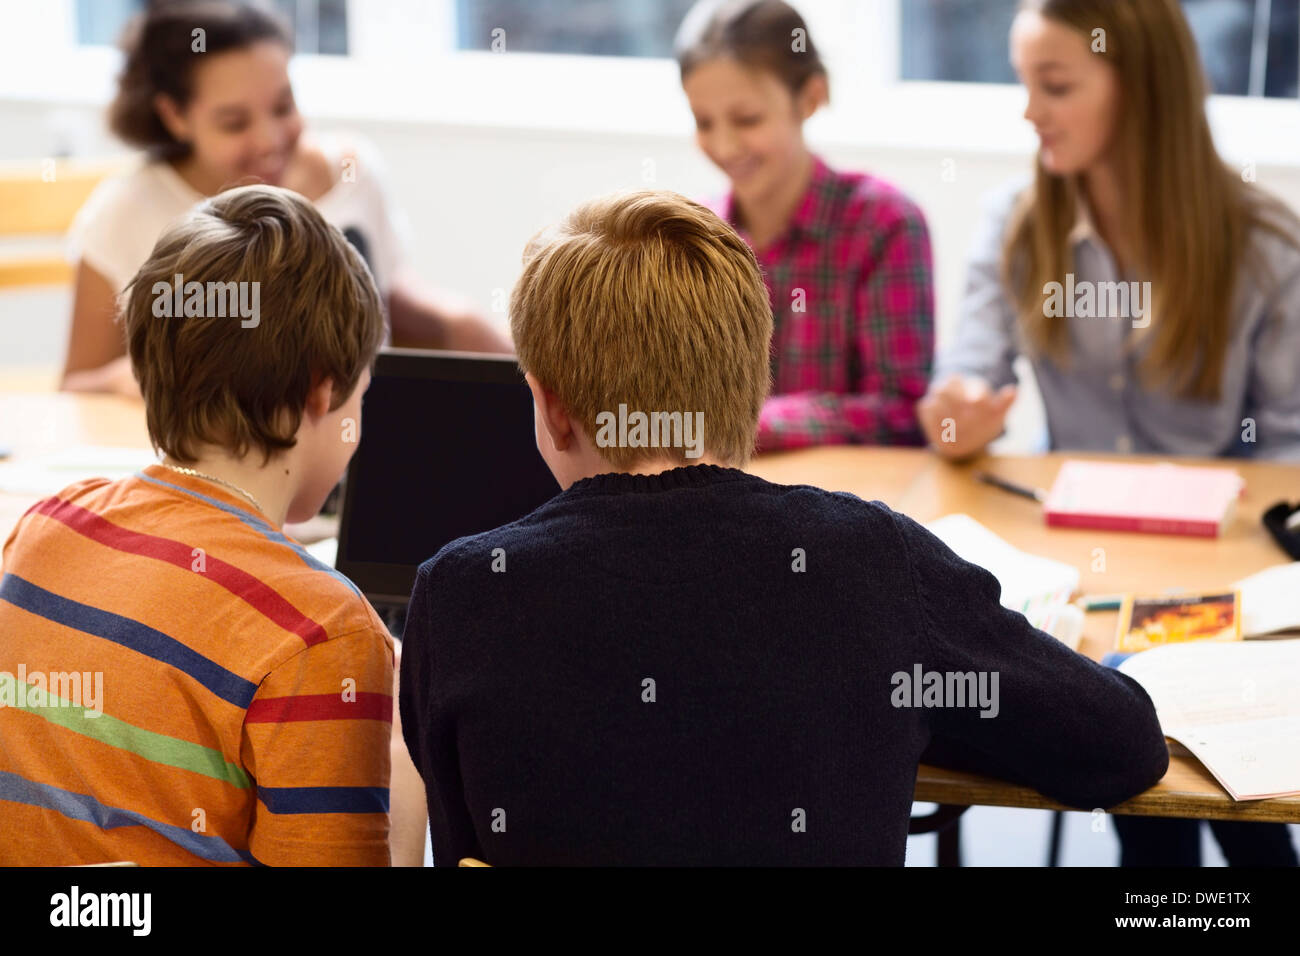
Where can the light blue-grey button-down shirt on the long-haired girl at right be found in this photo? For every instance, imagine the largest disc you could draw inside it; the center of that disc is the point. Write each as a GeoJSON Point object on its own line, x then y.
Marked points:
{"type": "Point", "coordinates": [1098, 403]}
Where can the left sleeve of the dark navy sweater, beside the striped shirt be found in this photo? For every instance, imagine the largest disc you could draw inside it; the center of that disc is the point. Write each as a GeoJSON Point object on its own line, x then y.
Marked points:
{"type": "Point", "coordinates": [430, 732]}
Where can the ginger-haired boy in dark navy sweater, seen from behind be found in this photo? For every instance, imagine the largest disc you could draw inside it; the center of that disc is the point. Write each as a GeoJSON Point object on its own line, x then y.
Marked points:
{"type": "Point", "coordinates": [674, 663]}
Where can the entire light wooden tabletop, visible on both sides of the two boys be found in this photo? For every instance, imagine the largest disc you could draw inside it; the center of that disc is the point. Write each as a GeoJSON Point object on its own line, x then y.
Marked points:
{"type": "Point", "coordinates": [925, 487]}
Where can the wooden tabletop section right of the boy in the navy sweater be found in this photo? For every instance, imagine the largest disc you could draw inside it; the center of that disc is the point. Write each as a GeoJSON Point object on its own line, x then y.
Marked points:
{"type": "Point", "coordinates": [925, 487]}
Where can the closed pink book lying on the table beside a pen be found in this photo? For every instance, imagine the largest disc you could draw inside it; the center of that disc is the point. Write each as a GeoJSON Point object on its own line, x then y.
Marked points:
{"type": "Point", "coordinates": [1155, 499]}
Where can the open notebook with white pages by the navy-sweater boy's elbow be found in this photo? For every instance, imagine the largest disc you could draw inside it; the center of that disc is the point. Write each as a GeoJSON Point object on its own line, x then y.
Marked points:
{"type": "Point", "coordinates": [1234, 707]}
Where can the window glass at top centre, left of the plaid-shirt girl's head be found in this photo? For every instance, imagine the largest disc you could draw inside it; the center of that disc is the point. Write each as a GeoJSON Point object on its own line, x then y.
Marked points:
{"type": "Point", "coordinates": [603, 28]}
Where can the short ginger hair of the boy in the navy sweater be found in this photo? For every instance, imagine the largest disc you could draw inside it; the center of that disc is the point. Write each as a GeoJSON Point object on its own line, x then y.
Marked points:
{"type": "Point", "coordinates": [648, 300]}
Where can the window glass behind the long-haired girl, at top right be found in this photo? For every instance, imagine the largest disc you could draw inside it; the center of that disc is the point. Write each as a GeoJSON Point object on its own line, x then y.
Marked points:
{"type": "Point", "coordinates": [1250, 47]}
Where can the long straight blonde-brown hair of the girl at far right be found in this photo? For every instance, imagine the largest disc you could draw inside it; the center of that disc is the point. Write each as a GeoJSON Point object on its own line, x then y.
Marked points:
{"type": "Point", "coordinates": [1189, 217]}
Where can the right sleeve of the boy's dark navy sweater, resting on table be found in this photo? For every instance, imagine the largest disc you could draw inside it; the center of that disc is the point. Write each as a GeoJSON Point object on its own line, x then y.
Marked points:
{"type": "Point", "coordinates": [1078, 733]}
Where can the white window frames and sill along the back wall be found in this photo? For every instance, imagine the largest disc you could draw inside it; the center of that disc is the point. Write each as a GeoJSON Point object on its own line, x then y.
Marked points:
{"type": "Point", "coordinates": [872, 109]}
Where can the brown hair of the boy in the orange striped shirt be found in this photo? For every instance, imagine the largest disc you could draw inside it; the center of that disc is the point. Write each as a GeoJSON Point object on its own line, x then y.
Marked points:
{"type": "Point", "coordinates": [215, 379]}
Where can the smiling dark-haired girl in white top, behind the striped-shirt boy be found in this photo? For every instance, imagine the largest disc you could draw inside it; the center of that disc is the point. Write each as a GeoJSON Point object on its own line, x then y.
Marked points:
{"type": "Point", "coordinates": [206, 93]}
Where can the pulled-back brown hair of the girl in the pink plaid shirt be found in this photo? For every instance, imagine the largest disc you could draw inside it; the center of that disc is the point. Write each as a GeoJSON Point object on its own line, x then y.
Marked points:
{"type": "Point", "coordinates": [761, 34]}
